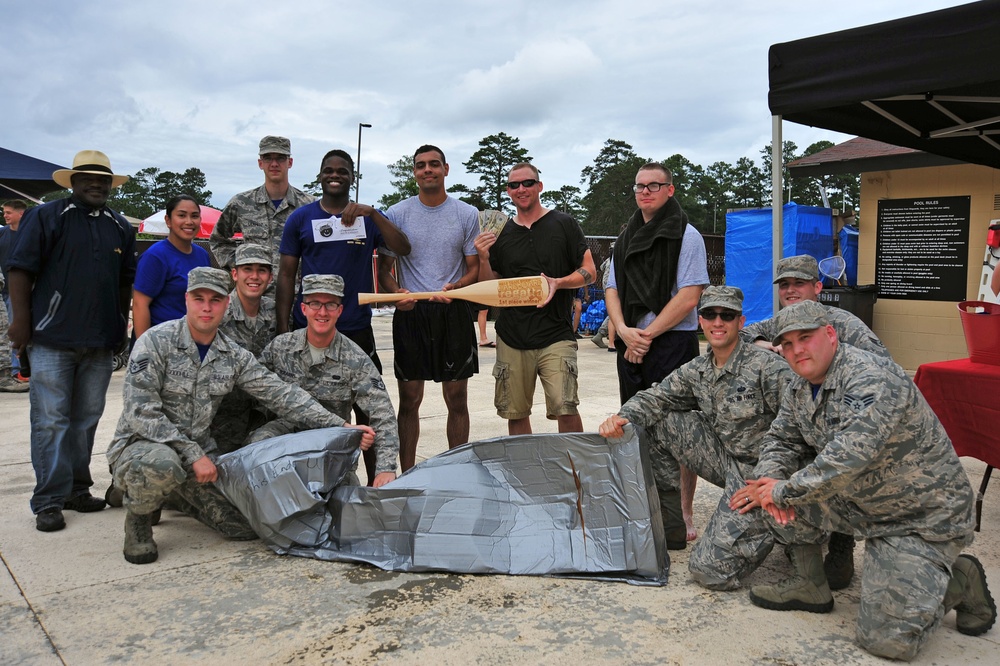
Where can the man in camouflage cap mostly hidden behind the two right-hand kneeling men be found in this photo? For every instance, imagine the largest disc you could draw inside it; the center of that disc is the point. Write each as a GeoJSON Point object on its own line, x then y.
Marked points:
{"type": "Point", "coordinates": [798, 281]}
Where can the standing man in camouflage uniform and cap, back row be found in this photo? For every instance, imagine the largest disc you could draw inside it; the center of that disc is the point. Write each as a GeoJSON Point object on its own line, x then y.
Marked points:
{"type": "Point", "coordinates": [260, 214]}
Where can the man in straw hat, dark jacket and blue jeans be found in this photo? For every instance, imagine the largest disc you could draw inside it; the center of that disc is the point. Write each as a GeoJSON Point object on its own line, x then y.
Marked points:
{"type": "Point", "coordinates": [70, 288]}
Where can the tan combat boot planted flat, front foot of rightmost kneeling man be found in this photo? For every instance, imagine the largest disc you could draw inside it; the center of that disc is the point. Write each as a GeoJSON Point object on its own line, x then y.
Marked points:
{"type": "Point", "coordinates": [806, 590]}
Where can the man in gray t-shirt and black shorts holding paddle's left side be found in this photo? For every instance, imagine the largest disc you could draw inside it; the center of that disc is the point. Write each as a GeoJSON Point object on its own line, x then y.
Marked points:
{"type": "Point", "coordinates": [432, 340]}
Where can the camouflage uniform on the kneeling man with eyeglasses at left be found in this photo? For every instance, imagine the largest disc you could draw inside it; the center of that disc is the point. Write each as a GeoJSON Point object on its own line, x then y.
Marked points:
{"type": "Point", "coordinates": [345, 377]}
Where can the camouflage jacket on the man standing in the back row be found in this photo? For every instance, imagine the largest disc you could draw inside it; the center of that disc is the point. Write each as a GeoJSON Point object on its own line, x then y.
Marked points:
{"type": "Point", "coordinates": [253, 214]}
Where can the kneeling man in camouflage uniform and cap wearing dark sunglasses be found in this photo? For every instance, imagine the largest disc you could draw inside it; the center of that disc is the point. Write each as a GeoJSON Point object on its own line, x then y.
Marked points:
{"type": "Point", "coordinates": [711, 415]}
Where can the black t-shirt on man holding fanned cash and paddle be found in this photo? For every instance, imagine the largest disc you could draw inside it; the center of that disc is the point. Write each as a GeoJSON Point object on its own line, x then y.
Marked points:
{"type": "Point", "coordinates": [554, 245]}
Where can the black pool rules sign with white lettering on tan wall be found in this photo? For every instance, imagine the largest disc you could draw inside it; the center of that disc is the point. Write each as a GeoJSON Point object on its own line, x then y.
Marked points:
{"type": "Point", "coordinates": [922, 248]}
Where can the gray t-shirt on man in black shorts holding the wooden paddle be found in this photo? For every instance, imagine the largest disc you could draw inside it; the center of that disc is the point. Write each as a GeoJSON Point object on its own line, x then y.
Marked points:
{"type": "Point", "coordinates": [440, 239]}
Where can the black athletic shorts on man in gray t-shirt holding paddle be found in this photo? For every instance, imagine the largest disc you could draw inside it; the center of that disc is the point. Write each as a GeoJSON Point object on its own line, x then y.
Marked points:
{"type": "Point", "coordinates": [435, 341]}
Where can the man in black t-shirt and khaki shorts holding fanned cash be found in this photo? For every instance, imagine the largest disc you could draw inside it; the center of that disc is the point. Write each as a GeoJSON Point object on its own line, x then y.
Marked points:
{"type": "Point", "coordinates": [536, 341]}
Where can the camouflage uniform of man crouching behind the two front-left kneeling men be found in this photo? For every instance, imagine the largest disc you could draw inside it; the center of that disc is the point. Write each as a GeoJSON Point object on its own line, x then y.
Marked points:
{"type": "Point", "coordinates": [239, 414]}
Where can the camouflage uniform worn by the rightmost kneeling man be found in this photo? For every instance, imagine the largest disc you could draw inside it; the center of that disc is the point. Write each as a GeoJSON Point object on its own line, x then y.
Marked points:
{"type": "Point", "coordinates": [883, 469]}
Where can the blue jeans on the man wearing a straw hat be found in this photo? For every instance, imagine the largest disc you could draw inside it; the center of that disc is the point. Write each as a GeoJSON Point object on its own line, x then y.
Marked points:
{"type": "Point", "coordinates": [68, 390]}
